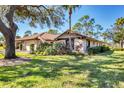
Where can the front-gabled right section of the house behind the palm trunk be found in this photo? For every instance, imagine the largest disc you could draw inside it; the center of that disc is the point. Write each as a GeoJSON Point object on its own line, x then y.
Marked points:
{"type": "Point", "coordinates": [79, 42]}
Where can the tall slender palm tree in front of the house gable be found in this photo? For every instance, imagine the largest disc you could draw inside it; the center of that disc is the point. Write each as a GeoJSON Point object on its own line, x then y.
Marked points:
{"type": "Point", "coordinates": [70, 8]}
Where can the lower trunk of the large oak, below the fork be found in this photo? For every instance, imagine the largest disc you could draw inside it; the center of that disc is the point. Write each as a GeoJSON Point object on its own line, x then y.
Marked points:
{"type": "Point", "coordinates": [10, 46]}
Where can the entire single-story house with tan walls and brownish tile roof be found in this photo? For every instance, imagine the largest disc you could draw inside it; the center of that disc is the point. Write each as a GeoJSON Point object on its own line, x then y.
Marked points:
{"type": "Point", "coordinates": [79, 42]}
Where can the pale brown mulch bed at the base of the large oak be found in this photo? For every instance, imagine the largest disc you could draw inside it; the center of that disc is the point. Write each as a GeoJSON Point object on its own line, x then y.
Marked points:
{"type": "Point", "coordinates": [12, 62]}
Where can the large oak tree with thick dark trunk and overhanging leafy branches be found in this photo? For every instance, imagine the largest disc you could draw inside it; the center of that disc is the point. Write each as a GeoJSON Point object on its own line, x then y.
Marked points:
{"type": "Point", "coordinates": [43, 15]}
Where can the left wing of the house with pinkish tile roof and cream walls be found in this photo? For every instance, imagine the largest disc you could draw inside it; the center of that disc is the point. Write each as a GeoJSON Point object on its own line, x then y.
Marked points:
{"type": "Point", "coordinates": [34, 40]}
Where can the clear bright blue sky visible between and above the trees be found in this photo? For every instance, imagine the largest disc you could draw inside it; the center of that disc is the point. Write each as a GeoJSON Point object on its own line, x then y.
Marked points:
{"type": "Point", "coordinates": [104, 15]}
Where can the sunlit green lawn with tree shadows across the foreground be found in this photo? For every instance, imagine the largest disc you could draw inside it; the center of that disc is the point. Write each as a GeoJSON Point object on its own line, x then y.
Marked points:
{"type": "Point", "coordinates": [103, 70]}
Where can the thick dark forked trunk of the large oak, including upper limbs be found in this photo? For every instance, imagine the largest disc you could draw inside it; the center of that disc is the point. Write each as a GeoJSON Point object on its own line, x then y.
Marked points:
{"type": "Point", "coordinates": [9, 33]}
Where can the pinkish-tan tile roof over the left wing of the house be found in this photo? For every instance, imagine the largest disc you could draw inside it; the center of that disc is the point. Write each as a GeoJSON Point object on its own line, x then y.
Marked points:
{"type": "Point", "coordinates": [45, 36]}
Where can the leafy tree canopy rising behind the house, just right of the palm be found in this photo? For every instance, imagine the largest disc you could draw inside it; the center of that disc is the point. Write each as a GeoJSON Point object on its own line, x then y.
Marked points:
{"type": "Point", "coordinates": [86, 25]}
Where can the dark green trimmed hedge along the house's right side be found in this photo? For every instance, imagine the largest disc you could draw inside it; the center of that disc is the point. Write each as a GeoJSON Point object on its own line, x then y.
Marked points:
{"type": "Point", "coordinates": [98, 49]}
